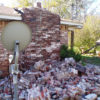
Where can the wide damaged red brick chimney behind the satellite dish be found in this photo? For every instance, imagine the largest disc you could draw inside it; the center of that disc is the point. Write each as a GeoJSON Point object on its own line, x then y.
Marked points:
{"type": "Point", "coordinates": [45, 42]}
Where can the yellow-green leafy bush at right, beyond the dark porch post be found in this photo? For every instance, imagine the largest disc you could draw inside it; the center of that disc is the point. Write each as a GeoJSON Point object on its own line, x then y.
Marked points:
{"type": "Point", "coordinates": [87, 37]}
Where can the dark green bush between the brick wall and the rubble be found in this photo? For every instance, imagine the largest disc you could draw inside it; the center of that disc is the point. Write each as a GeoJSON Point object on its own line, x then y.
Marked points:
{"type": "Point", "coordinates": [66, 53]}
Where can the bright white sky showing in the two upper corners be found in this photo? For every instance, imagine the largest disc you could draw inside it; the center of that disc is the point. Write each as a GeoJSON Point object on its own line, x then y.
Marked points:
{"type": "Point", "coordinates": [95, 7]}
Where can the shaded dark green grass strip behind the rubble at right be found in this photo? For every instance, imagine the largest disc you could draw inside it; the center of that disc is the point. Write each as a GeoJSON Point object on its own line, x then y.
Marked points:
{"type": "Point", "coordinates": [91, 59]}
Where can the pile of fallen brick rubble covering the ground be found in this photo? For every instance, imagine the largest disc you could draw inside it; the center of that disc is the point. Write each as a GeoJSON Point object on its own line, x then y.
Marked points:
{"type": "Point", "coordinates": [55, 80]}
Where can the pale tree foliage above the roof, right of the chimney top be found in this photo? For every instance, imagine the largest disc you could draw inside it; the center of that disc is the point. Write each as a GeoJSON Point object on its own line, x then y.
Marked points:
{"type": "Point", "coordinates": [73, 9]}
